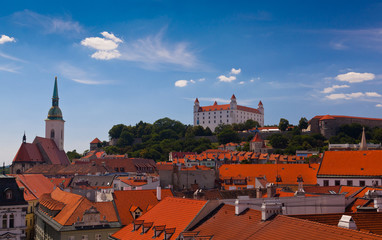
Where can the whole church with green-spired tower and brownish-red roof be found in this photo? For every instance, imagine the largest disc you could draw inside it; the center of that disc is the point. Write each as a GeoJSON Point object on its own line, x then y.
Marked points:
{"type": "Point", "coordinates": [48, 150]}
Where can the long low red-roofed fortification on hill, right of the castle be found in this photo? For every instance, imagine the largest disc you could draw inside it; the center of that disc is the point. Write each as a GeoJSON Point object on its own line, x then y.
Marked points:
{"type": "Point", "coordinates": [329, 124]}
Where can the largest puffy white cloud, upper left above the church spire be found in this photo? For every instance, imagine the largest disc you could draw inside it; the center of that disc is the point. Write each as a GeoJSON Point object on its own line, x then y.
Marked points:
{"type": "Point", "coordinates": [106, 47]}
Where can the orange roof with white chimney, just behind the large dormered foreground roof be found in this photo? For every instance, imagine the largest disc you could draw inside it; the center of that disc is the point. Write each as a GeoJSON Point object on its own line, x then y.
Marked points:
{"type": "Point", "coordinates": [140, 198]}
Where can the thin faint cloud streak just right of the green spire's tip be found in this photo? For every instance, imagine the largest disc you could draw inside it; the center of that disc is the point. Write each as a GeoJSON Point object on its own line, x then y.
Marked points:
{"type": "Point", "coordinates": [78, 75]}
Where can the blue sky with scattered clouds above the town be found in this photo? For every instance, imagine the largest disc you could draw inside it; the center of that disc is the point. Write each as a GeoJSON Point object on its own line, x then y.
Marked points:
{"type": "Point", "coordinates": [126, 61]}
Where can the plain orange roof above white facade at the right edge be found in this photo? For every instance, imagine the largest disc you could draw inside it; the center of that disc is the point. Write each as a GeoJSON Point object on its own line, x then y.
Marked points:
{"type": "Point", "coordinates": [351, 163]}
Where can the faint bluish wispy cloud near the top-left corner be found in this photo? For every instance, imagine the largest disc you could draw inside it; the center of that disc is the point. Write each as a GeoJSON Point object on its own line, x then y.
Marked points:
{"type": "Point", "coordinates": [48, 24]}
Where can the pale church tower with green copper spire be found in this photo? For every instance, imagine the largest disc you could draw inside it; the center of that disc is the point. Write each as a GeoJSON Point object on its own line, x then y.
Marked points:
{"type": "Point", "coordinates": [54, 124]}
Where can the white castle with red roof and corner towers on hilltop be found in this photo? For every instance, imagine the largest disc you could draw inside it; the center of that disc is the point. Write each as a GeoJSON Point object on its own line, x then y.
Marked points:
{"type": "Point", "coordinates": [212, 116]}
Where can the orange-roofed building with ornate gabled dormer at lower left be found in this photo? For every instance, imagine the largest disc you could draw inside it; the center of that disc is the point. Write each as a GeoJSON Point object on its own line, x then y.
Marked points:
{"type": "Point", "coordinates": [66, 216]}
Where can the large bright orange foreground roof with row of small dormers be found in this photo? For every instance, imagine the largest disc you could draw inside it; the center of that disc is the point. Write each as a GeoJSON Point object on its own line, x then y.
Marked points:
{"type": "Point", "coordinates": [170, 213]}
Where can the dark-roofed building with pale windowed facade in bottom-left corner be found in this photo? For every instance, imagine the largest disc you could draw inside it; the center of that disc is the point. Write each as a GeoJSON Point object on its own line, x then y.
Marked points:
{"type": "Point", "coordinates": [13, 209]}
